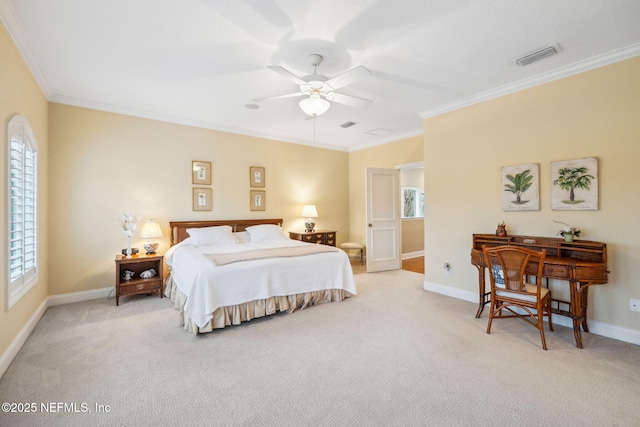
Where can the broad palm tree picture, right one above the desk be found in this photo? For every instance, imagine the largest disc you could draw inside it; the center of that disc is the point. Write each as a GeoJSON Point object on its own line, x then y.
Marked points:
{"type": "Point", "coordinates": [574, 185]}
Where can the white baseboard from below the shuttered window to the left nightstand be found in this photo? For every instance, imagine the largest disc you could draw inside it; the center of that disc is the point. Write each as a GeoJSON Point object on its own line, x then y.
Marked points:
{"type": "Point", "coordinates": [15, 346]}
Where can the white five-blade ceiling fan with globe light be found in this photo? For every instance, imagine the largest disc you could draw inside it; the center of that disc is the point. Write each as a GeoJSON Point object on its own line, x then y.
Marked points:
{"type": "Point", "coordinates": [320, 89]}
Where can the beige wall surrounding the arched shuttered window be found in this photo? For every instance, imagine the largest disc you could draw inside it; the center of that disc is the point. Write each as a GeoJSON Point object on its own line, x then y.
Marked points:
{"type": "Point", "coordinates": [20, 94]}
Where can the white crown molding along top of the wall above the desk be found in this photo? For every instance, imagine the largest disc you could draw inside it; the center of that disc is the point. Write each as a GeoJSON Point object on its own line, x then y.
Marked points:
{"type": "Point", "coordinates": [557, 74]}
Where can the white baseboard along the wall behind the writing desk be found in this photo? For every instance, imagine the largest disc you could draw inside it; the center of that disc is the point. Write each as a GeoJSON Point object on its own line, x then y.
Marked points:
{"type": "Point", "coordinates": [599, 328]}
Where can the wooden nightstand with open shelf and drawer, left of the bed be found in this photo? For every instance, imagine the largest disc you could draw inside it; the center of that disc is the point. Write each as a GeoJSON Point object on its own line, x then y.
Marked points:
{"type": "Point", "coordinates": [138, 285]}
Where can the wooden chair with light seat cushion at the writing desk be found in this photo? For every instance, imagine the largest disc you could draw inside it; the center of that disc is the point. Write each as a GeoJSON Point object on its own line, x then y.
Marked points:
{"type": "Point", "coordinates": [510, 290]}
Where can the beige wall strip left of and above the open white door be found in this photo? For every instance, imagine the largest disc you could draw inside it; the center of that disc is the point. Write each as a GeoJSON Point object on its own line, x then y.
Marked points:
{"type": "Point", "coordinates": [408, 150]}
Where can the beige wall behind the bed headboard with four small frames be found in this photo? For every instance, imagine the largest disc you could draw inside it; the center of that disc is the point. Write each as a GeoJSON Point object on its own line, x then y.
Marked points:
{"type": "Point", "coordinates": [104, 164]}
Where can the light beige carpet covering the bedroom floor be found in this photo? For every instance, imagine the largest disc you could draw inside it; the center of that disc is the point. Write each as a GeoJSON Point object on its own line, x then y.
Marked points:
{"type": "Point", "coordinates": [395, 355]}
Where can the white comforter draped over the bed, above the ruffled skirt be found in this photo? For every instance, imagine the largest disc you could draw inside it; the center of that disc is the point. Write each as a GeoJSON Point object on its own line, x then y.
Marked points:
{"type": "Point", "coordinates": [209, 287]}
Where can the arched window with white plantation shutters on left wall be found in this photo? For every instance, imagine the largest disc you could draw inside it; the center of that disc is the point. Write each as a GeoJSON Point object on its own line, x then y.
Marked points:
{"type": "Point", "coordinates": [23, 232]}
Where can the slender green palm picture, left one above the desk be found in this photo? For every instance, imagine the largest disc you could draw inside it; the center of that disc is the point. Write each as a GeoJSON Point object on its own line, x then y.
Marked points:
{"type": "Point", "coordinates": [520, 187]}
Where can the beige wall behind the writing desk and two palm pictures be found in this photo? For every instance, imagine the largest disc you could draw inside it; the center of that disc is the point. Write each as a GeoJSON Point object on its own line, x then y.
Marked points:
{"type": "Point", "coordinates": [593, 114]}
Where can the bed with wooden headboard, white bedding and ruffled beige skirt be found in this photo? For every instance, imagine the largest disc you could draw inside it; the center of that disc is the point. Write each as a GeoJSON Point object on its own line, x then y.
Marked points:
{"type": "Point", "coordinates": [224, 273]}
